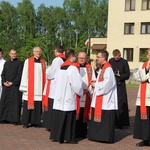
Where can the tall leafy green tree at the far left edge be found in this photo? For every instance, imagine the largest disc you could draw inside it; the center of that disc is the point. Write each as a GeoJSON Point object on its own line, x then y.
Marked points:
{"type": "Point", "coordinates": [8, 27]}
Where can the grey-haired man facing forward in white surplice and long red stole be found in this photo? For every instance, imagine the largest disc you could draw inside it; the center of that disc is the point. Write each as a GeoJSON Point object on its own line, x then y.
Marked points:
{"type": "Point", "coordinates": [32, 85]}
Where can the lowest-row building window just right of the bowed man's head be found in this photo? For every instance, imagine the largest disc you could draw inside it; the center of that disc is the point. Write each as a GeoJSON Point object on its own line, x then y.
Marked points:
{"type": "Point", "coordinates": [128, 54]}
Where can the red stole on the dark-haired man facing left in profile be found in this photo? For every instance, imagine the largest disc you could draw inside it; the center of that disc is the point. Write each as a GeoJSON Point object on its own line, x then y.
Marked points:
{"type": "Point", "coordinates": [99, 99]}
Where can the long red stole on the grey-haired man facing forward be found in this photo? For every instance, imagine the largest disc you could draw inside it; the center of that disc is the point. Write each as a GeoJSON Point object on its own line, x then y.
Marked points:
{"type": "Point", "coordinates": [31, 80]}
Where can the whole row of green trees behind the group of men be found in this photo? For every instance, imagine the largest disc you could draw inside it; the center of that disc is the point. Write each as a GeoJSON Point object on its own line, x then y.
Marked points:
{"type": "Point", "coordinates": [71, 25]}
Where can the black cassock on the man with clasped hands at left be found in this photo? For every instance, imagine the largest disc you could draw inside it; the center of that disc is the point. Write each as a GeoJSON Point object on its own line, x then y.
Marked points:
{"type": "Point", "coordinates": [11, 99]}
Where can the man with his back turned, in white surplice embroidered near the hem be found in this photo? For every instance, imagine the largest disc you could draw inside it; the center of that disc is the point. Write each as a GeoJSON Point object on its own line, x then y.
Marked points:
{"type": "Point", "coordinates": [66, 108]}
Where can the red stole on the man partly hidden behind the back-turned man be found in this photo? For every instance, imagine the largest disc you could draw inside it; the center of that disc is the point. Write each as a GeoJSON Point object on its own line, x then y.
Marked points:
{"type": "Point", "coordinates": [45, 97]}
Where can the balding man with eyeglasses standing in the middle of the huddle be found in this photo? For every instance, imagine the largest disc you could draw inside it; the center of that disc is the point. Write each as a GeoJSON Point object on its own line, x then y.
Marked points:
{"type": "Point", "coordinates": [87, 75]}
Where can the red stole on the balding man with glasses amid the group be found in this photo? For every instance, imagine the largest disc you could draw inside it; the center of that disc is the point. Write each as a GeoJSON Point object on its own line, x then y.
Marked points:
{"type": "Point", "coordinates": [88, 98]}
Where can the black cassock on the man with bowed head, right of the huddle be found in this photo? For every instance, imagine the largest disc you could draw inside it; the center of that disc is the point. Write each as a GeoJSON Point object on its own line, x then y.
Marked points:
{"type": "Point", "coordinates": [122, 114]}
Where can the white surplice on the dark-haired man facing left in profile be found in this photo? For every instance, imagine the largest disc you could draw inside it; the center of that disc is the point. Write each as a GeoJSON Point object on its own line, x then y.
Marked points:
{"type": "Point", "coordinates": [108, 89]}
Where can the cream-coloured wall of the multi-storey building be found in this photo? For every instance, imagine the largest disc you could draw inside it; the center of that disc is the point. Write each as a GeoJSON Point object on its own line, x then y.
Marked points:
{"type": "Point", "coordinates": [117, 39]}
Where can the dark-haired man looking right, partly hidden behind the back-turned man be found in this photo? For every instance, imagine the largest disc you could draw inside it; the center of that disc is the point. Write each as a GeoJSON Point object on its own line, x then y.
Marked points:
{"type": "Point", "coordinates": [49, 90]}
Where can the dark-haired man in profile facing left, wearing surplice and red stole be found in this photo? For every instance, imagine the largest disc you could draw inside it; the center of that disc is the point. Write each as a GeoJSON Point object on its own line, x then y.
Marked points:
{"type": "Point", "coordinates": [104, 102]}
